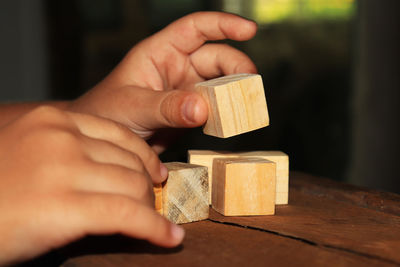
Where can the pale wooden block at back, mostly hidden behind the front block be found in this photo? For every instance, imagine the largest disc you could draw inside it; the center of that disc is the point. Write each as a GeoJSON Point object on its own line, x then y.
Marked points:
{"type": "Point", "coordinates": [206, 157]}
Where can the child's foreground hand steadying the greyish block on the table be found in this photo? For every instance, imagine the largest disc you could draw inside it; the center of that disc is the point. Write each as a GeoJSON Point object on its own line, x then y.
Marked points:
{"type": "Point", "coordinates": [65, 175]}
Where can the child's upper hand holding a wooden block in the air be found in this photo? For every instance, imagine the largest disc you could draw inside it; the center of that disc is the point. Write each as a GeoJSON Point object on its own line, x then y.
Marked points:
{"type": "Point", "coordinates": [175, 58]}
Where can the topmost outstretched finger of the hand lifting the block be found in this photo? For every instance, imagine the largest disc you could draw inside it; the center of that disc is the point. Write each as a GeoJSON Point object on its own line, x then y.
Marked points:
{"type": "Point", "coordinates": [190, 32]}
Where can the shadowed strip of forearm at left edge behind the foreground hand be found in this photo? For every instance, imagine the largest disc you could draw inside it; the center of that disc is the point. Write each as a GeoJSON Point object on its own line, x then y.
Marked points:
{"type": "Point", "coordinates": [11, 111]}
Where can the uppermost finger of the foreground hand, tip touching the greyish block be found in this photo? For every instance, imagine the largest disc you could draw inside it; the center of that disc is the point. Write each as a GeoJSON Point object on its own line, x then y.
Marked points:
{"type": "Point", "coordinates": [99, 128]}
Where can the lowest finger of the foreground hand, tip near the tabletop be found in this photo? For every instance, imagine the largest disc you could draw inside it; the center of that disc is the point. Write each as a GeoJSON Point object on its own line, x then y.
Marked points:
{"type": "Point", "coordinates": [112, 214]}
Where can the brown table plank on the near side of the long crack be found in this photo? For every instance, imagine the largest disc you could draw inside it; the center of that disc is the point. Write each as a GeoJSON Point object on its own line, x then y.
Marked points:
{"type": "Point", "coordinates": [212, 244]}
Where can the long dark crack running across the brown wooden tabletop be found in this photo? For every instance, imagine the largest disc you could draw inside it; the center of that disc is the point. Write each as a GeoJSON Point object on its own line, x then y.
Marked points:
{"type": "Point", "coordinates": [306, 241]}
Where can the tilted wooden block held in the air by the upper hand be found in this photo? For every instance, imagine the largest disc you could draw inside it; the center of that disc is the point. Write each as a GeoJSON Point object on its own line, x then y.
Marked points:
{"type": "Point", "coordinates": [236, 104]}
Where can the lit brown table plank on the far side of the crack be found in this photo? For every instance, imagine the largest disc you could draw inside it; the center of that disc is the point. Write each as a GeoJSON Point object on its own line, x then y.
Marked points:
{"type": "Point", "coordinates": [321, 220]}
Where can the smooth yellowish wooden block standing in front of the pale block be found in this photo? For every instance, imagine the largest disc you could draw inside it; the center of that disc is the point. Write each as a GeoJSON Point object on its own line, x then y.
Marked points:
{"type": "Point", "coordinates": [244, 186]}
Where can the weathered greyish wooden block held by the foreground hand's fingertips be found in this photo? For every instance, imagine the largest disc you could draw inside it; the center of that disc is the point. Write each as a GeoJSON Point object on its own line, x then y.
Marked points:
{"type": "Point", "coordinates": [185, 193]}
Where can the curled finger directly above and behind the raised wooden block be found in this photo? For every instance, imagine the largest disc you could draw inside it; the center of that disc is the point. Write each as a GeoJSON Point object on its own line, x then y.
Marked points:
{"type": "Point", "coordinates": [214, 60]}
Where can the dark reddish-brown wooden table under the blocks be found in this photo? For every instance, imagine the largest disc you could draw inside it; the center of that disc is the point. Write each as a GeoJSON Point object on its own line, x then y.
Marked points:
{"type": "Point", "coordinates": [326, 224]}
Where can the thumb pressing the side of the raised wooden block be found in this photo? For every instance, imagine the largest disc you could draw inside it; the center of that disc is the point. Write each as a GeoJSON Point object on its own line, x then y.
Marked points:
{"type": "Point", "coordinates": [164, 109]}
